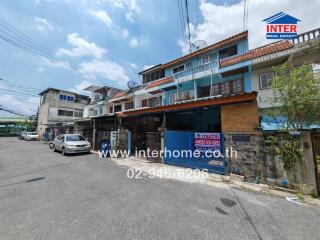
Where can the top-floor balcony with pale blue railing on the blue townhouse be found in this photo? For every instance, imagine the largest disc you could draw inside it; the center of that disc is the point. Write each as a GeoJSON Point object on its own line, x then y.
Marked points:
{"type": "Point", "coordinates": [197, 72]}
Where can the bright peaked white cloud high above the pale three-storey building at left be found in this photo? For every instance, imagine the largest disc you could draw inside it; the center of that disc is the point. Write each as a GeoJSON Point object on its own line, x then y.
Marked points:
{"type": "Point", "coordinates": [81, 48]}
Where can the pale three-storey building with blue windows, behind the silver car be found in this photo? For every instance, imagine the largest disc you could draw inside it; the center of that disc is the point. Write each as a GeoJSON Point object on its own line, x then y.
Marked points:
{"type": "Point", "coordinates": [58, 109]}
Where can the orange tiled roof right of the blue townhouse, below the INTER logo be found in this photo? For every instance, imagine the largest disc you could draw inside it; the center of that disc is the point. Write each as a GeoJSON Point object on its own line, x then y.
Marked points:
{"type": "Point", "coordinates": [258, 52]}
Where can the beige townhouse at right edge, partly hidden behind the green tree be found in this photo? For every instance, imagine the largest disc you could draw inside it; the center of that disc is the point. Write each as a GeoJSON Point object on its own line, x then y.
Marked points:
{"type": "Point", "coordinates": [303, 50]}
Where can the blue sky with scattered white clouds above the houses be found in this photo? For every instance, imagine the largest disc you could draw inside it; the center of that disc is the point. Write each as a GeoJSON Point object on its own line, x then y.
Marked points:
{"type": "Point", "coordinates": [110, 41]}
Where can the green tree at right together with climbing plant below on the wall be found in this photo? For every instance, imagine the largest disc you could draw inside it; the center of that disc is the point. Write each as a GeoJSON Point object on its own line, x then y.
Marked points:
{"type": "Point", "coordinates": [296, 97]}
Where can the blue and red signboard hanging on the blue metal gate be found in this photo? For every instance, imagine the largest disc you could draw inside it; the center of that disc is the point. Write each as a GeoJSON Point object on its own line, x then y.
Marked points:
{"type": "Point", "coordinates": [207, 141]}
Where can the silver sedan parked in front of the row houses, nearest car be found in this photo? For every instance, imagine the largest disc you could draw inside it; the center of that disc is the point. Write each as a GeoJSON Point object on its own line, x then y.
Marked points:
{"type": "Point", "coordinates": [71, 143]}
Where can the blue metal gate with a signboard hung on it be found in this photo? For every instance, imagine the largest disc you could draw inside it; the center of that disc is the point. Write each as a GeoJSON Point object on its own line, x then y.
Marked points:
{"type": "Point", "coordinates": [183, 142]}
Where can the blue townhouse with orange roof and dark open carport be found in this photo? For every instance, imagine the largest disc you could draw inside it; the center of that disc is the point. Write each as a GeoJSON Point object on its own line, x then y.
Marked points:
{"type": "Point", "coordinates": [197, 93]}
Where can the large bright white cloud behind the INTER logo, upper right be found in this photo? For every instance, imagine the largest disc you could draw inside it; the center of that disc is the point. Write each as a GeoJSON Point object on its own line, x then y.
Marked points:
{"type": "Point", "coordinates": [222, 21]}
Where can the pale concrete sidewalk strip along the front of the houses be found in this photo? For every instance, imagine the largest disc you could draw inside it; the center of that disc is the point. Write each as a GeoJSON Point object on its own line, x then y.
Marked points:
{"type": "Point", "coordinates": [216, 180]}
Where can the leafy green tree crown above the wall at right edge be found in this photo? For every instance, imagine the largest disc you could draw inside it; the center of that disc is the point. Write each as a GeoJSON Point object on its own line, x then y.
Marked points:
{"type": "Point", "coordinates": [296, 96]}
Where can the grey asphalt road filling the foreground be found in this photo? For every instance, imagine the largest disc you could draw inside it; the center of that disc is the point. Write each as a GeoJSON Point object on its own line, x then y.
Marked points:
{"type": "Point", "coordinates": [44, 195]}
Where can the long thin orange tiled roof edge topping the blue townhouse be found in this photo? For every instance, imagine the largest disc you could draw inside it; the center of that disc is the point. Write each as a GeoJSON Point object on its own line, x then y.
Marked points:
{"type": "Point", "coordinates": [219, 44]}
